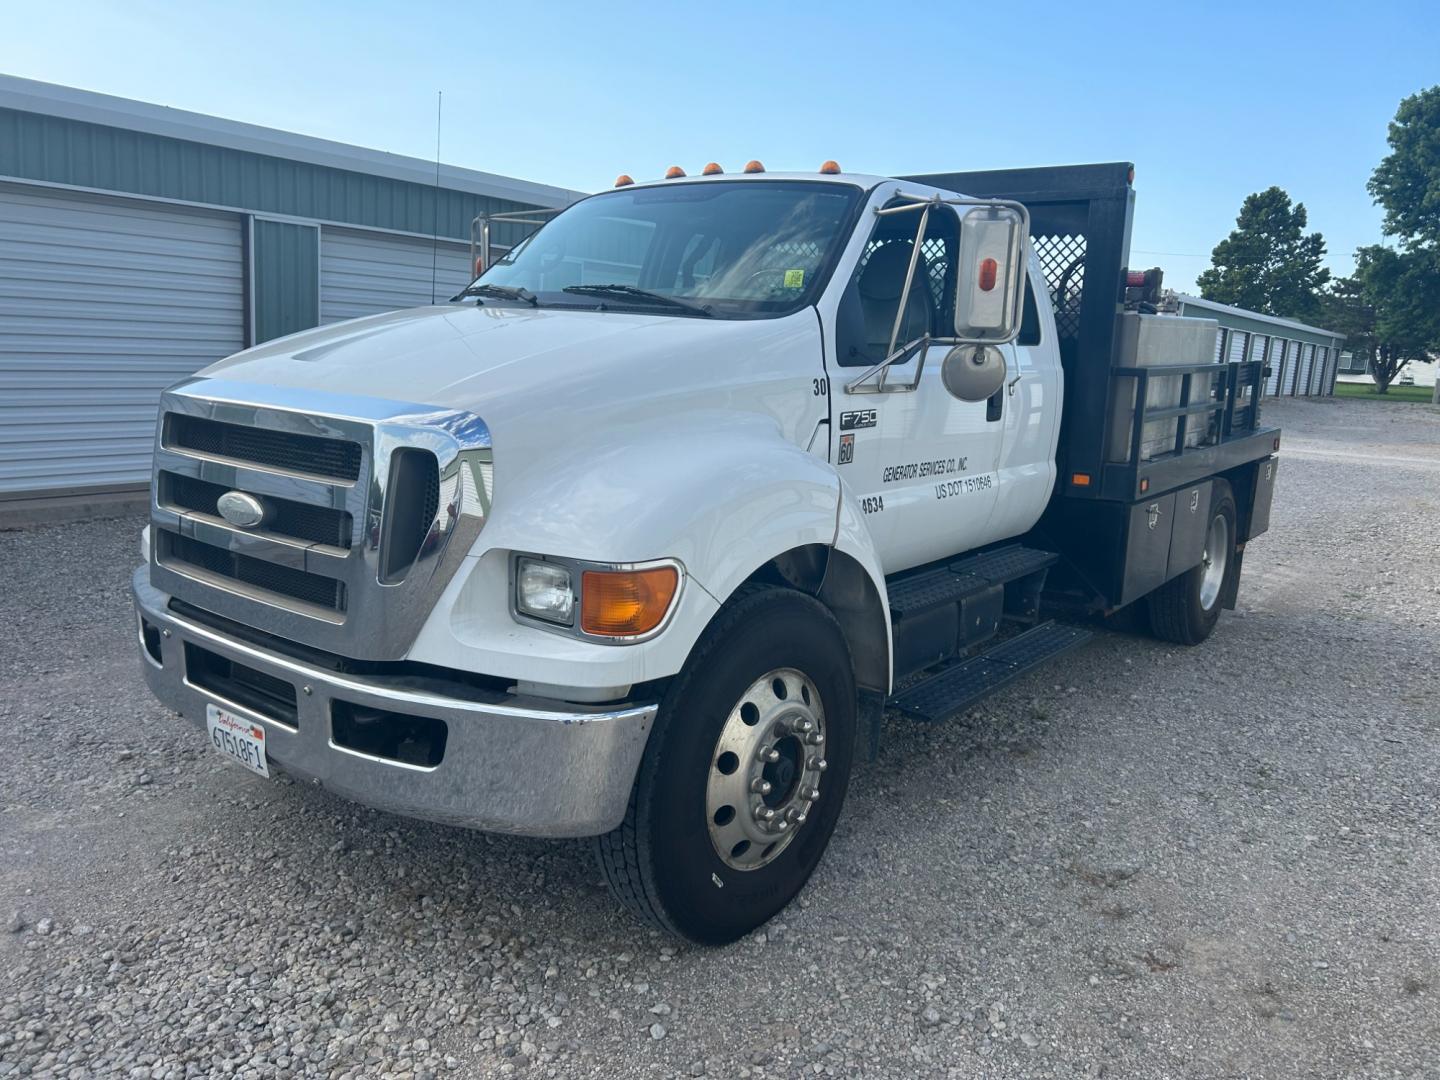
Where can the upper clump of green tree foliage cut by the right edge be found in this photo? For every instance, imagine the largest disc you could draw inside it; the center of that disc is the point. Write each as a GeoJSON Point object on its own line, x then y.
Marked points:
{"type": "Point", "coordinates": [1408, 181]}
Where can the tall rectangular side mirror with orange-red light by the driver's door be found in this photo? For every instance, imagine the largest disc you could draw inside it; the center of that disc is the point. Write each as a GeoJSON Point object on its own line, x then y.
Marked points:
{"type": "Point", "coordinates": [990, 289]}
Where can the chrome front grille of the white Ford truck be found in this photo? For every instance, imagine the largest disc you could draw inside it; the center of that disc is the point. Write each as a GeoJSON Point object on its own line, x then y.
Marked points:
{"type": "Point", "coordinates": [369, 509]}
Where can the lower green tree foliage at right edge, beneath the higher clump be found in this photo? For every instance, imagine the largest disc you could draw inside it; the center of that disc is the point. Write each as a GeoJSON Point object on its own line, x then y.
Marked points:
{"type": "Point", "coordinates": [1389, 310]}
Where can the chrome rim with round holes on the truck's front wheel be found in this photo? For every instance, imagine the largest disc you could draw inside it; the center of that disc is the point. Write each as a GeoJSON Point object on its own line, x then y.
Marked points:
{"type": "Point", "coordinates": [765, 771]}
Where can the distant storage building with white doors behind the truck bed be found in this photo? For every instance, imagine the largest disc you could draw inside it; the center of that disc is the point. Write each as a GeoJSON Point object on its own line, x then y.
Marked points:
{"type": "Point", "coordinates": [1302, 359]}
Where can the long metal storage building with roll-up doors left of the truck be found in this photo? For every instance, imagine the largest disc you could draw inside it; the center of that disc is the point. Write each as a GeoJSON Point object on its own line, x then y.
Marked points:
{"type": "Point", "coordinates": [140, 244]}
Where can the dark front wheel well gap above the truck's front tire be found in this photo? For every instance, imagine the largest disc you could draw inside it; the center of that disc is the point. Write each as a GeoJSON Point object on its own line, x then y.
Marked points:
{"type": "Point", "coordinates": [842, 584]}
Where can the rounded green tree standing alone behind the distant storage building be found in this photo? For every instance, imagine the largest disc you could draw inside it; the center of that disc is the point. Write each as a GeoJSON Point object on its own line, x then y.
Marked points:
{"type": "Point", "coordinates": [1269, 264]}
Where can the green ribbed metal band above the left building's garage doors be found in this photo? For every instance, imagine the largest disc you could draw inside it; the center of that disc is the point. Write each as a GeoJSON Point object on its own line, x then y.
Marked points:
{"type": "Point", "coordinates": [81, 155]}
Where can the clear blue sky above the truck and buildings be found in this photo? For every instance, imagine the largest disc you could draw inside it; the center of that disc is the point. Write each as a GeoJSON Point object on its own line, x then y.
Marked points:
{"type": "Point", "coordinates": [1210, 102]}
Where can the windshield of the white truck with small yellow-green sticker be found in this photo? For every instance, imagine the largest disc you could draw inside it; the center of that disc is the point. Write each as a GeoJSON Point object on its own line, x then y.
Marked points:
{"type": "Point", "coordinates": [726, 248]}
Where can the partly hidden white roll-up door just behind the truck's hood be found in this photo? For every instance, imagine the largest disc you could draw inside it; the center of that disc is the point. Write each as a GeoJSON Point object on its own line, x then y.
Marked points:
{"type": "Point", "coordinates": [365, 273]}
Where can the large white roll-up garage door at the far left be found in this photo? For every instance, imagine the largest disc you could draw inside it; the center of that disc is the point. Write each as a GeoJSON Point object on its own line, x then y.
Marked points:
{"type": "Point", "coordinates": [103, 305]}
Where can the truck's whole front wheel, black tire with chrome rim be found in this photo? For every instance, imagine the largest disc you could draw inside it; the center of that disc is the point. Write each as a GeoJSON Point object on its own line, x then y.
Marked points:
{"type": "Point", "coordinates": [745, 774]}
